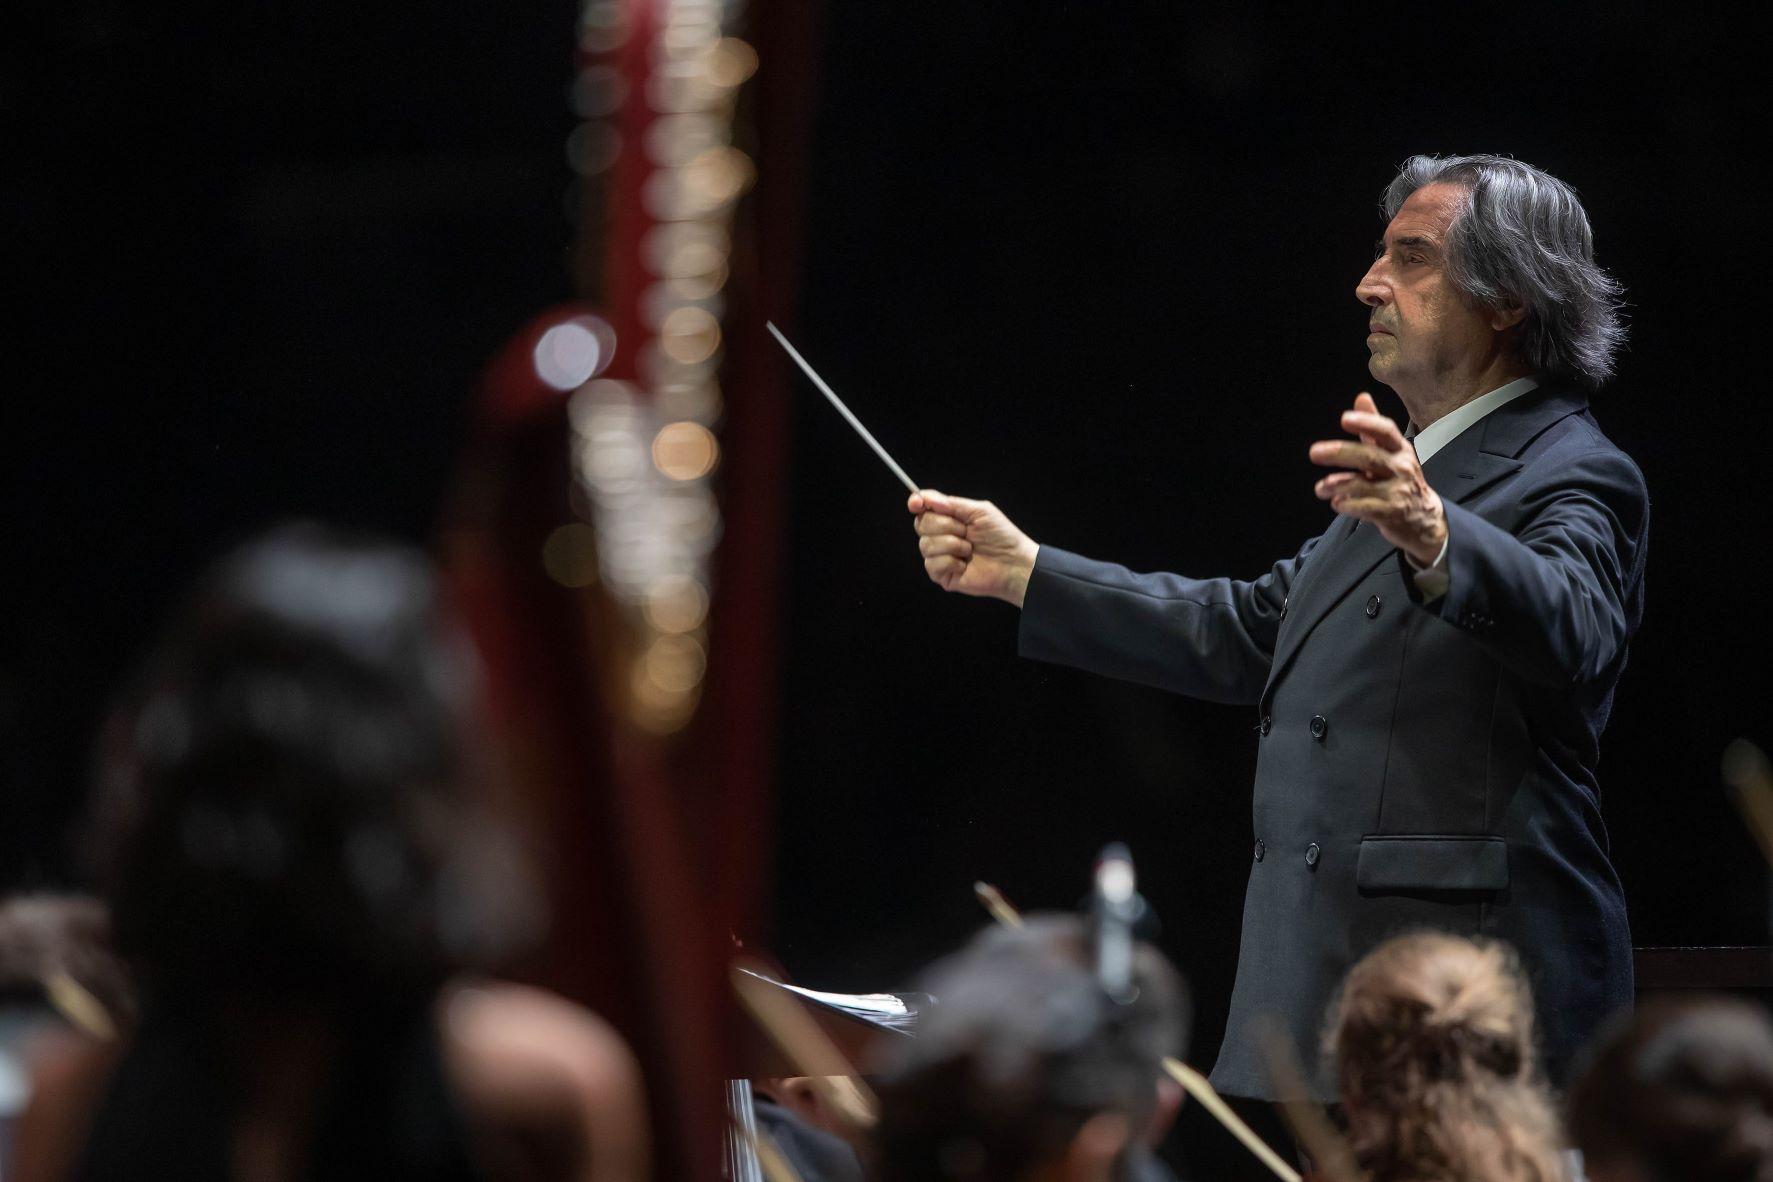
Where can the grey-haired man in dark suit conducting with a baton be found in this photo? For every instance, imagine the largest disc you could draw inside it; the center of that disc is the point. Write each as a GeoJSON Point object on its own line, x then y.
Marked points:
{"type": "Point", "coordinates": [1433, 673]}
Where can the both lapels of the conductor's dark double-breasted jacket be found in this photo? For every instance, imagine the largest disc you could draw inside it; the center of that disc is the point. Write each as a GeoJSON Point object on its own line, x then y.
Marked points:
{"type": "Point", "coordinates": [1476, 460]}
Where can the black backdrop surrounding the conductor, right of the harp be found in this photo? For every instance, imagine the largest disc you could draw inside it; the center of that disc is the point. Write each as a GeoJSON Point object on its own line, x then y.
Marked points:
{"type": "Point", "coordinates": [1097, 263]}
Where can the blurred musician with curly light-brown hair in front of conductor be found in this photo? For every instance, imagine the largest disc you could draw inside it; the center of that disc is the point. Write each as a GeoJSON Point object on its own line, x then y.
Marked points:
{"type": "Point", "coordinates": [1433, 1050]}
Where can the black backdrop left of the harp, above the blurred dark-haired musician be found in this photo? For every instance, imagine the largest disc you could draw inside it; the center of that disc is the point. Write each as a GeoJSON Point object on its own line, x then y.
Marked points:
{"type": "Point", "coordinates": [258, 256]}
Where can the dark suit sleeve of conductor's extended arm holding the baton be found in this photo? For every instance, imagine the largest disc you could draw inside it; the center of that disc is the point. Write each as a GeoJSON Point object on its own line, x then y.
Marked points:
{"type": "Point", "coordinates": [1205, 639]}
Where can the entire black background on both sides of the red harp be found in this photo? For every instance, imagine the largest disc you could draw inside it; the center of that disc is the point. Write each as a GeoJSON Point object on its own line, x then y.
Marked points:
{"type": "Point", "coordinates": [1093, 261]}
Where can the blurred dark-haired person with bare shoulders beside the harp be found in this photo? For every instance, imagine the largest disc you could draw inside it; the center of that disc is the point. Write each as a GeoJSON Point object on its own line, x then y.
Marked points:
{"type": "Point", "coordinates": [302, 867]}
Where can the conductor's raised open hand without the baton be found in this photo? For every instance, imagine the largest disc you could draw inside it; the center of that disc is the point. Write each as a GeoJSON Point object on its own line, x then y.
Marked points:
{"type": "Point", "coordinates": [1386, 485]}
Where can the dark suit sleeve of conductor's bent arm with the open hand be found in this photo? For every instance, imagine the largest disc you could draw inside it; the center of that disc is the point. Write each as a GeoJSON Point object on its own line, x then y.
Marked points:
{"type": "Point", "coordinates": [1554, 600]}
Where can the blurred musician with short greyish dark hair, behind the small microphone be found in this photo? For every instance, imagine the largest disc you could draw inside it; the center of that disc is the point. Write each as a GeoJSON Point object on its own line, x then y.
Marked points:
{"type": "Point", "coordinates": [1024, 1069]}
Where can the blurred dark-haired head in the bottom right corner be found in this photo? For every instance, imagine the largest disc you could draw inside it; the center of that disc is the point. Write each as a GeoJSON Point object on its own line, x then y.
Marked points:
{"type": "Point", "coordinates": [1680, 1093]}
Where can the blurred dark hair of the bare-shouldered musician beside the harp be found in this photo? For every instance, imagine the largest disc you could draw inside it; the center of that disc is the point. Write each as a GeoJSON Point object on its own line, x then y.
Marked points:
{"type": "Point", "coordinates": [290, 795]}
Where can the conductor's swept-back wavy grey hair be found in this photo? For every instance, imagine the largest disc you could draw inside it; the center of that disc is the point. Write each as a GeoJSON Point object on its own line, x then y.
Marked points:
{"type": "Point", "coordinates": [1522, 238]}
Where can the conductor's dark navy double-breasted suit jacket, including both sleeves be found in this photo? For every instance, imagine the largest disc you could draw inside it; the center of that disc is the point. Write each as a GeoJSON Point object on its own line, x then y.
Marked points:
{"type": "Point", "coordinates": [1421, 765]}
